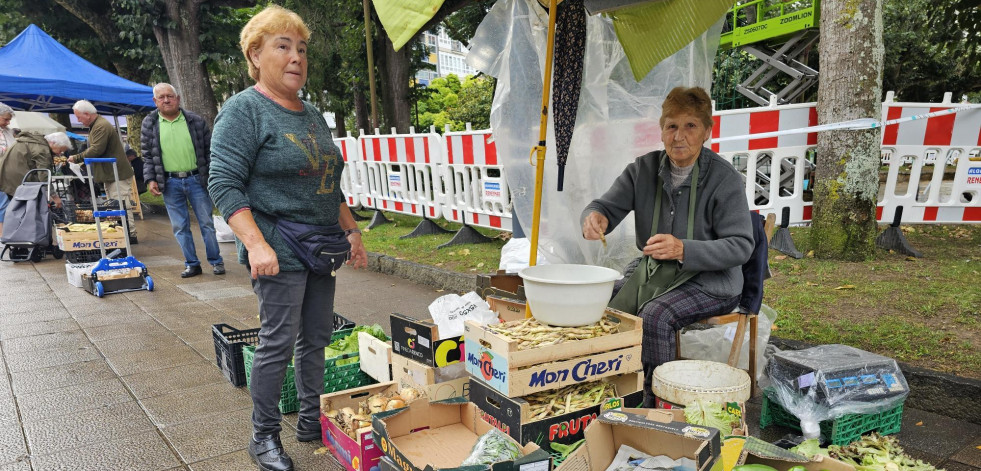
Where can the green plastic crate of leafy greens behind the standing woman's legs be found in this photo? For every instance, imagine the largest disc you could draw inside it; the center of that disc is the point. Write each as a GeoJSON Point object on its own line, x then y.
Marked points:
{"type": "Point", "coordinates": [336, 378]}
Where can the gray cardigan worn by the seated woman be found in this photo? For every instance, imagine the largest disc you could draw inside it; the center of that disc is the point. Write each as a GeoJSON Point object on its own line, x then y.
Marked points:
{"type": "Point", "coordinates": [723, 235]}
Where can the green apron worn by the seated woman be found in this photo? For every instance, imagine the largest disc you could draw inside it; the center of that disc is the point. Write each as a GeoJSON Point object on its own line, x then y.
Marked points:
{"type": "Point", "coordinates": [653, 278]}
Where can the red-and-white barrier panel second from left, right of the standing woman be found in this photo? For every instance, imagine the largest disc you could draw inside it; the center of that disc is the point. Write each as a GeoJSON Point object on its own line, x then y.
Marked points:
{"type": "Point", "coordinates": [400, 170]}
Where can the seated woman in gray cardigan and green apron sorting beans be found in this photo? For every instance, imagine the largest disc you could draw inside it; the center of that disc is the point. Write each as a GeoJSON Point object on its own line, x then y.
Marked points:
{"type": "Point", "coordinates": [694, 236]}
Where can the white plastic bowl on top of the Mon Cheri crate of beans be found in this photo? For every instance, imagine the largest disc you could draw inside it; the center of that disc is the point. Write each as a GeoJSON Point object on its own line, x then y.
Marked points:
{"type": "Point", "coordinates": [568, 295]}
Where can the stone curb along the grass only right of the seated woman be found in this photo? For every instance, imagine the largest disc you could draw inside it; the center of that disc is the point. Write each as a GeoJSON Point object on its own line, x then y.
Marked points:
{"type": "Point", "coordinates": [930, 390]}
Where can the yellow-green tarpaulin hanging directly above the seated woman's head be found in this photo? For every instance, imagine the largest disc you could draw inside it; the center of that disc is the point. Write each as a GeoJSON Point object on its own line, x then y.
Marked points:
{"type": "Point", "coordinates": [651, 32]}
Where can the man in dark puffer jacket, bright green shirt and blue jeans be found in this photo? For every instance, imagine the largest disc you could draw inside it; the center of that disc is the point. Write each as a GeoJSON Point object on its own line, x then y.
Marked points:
{"type": "Point", "coordinates": [176, 147]}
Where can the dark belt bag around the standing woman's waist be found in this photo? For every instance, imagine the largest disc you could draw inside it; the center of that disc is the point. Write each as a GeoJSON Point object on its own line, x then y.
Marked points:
{"type": "Point", "coordinates": [322, 249]}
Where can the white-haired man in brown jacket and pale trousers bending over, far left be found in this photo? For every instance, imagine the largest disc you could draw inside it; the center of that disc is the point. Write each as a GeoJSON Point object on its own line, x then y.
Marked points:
{"type": "Point", "coordinates": [104, 142]}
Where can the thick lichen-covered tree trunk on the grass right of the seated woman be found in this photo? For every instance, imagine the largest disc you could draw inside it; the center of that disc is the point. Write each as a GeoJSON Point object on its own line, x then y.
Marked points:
{"type": "Point", "coordinates": [851, 60]}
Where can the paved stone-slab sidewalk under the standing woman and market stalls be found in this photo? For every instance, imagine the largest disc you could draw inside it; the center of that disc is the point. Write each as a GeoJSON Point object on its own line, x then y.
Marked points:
{"type": "Point", "coordinates": [128, 382]}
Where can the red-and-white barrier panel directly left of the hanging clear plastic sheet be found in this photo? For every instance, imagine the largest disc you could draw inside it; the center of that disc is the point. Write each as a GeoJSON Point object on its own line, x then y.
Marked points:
{"type": "Point", "coordinates": [476, 190]}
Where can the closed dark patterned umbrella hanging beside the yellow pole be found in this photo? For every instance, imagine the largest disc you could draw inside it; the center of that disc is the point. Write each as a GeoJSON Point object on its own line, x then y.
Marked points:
{"type": "Point", "coordinates": [570, 45]}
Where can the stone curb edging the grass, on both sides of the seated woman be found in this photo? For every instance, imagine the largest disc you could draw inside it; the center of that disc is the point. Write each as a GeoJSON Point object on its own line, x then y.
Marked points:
{"type": "Point", "coordinates": [932, 391]}
